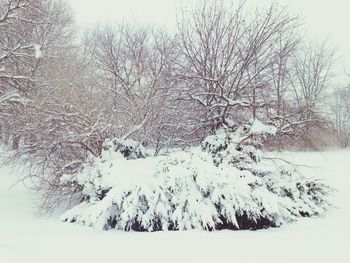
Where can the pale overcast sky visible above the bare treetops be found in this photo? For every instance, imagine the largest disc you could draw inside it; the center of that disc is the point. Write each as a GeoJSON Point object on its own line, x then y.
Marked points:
{"type": "Point", "coordinates": [324, 19]}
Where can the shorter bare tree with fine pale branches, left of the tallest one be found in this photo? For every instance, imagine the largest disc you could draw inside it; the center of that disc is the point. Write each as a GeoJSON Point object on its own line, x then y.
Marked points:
{"type": "Point", "coordinates": [136, 68]}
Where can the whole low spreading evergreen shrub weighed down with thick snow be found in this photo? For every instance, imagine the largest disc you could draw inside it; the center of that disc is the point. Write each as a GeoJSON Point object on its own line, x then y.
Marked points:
{"type": "Point", "coordinates": [224, 184]}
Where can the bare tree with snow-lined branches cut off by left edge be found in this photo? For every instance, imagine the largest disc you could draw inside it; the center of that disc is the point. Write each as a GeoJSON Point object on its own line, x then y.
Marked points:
{"type": "Point", "coordinates": [30, 31]}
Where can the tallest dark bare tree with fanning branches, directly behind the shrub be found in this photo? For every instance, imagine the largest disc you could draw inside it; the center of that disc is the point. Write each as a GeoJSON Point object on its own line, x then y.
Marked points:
{"type": "Point", "coordinates": [227, 52]}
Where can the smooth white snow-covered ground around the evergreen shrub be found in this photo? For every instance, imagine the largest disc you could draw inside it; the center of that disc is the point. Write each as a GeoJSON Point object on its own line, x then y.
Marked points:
{"type": "Point", "coordinates": [26, 237]}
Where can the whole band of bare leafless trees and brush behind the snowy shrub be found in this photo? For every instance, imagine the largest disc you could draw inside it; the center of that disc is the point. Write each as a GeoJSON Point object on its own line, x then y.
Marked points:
{"type": "Point", "coordinates": [62, 93]}
